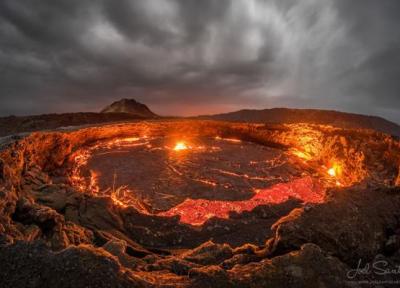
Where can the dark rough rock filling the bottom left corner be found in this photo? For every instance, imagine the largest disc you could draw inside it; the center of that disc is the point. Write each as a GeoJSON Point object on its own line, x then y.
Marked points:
{"type": "Point", "coordinates": [33, 265]}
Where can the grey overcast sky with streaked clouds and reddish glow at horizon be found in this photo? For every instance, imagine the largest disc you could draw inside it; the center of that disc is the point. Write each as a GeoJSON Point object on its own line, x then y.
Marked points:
{"type": "Point", "coordinates": [200, 56]}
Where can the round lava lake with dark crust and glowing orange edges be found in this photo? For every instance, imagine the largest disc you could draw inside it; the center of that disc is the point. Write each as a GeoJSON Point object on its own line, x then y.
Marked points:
{"type": "Point", "coordinates": [196, 178]}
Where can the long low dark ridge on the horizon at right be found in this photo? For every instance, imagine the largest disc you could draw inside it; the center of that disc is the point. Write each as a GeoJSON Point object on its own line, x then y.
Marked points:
{"type": "Point", "coordinates": [313, 116]}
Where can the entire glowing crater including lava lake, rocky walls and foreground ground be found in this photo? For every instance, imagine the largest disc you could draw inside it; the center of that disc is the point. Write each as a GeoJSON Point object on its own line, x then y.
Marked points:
{"type": "Point", "coordinates": [198, 204]}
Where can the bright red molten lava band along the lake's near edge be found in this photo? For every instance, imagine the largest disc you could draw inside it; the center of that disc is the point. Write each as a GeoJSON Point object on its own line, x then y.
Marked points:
{"type": "Point", "coordinates": [197, 212]}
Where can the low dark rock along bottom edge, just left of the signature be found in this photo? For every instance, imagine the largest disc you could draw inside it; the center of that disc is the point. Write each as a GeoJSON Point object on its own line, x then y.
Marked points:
{"type": "Point", "coordinates": [308, 267]}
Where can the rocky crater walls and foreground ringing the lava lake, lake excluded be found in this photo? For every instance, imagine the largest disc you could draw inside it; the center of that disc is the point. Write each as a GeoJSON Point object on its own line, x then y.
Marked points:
{"type": "Point", "coordinates": [52, 235]}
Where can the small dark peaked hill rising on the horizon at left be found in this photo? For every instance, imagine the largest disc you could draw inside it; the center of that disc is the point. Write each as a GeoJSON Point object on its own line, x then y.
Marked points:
{"type": "Point", "coordinates": [129, 106]}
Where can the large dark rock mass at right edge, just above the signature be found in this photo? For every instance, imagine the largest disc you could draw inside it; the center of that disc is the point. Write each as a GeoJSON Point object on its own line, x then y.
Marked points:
{"type": "Point", "coordinates": [351, 225]}
